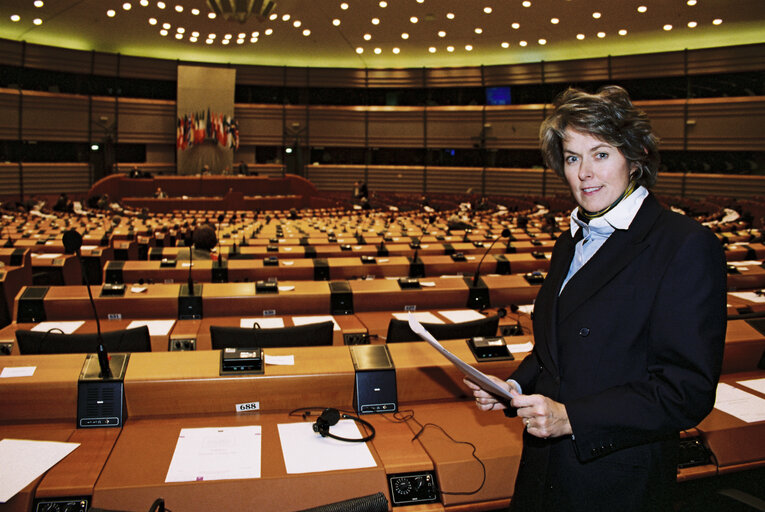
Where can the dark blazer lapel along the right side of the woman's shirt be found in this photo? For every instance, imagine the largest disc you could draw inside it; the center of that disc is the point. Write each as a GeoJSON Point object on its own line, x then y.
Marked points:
{"type": "Point", "coordinates": [618, 251]}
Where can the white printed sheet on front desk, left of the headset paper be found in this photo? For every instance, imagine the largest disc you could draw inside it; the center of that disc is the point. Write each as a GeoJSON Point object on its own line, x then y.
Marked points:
{"type": "Point", "coordinates": [216, 454]}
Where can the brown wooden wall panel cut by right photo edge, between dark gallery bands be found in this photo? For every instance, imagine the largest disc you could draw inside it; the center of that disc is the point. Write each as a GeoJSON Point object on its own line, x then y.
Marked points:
{"type": "Point", "coordinates": [726, 124]}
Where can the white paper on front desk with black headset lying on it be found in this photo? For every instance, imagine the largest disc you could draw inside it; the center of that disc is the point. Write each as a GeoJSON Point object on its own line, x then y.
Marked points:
{"type": "Point", "coordinates": [305, 451]}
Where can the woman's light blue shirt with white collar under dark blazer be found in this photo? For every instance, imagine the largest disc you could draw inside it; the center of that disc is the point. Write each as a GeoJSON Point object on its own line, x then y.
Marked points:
{"type": "Point", "coordinates": [596, 232]}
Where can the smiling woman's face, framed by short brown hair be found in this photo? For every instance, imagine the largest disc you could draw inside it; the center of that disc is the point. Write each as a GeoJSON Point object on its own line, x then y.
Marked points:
{"type": "Point", "coordinates": [596, 171]}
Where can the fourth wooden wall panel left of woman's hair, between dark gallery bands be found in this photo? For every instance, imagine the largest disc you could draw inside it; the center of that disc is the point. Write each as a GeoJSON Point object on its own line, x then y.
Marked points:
{"type": "Point", "coordinates": [337, 126]}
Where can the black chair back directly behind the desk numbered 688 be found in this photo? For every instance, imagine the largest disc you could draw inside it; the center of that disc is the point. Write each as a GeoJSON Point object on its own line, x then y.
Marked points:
{"type": "Point", "coordinates": [298, 336]}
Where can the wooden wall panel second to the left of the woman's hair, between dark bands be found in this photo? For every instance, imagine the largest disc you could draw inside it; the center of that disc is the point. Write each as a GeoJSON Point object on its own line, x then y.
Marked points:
{"type": "Point", "coordinates": [454, 127]}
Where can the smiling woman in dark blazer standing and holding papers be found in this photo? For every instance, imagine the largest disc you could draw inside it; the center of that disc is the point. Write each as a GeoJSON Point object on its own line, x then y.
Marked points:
{"type": "Point", "coordinates": [629, 325]}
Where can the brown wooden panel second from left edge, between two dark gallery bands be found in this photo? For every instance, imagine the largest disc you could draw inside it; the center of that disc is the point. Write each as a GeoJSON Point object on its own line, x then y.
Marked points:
{"type": "Point", "coordinates": [54, 117]}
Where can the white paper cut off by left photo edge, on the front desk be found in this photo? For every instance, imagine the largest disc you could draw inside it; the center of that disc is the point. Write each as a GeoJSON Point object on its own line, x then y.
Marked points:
{"type": "Point", "coordinates": [22, 461]}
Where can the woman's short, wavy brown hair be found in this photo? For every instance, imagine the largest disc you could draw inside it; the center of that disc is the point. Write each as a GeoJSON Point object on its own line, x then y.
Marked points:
{"type": "Point", "coordinates": [610, 116]}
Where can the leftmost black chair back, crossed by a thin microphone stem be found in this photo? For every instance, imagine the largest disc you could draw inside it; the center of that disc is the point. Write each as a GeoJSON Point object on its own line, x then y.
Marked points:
{"type": "Point", "coordinates": [49, 342]}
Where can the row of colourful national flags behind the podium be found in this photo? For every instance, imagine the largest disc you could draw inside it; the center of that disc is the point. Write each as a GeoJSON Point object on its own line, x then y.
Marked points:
{"type": "Point", "coordinates": [196, 128]}
